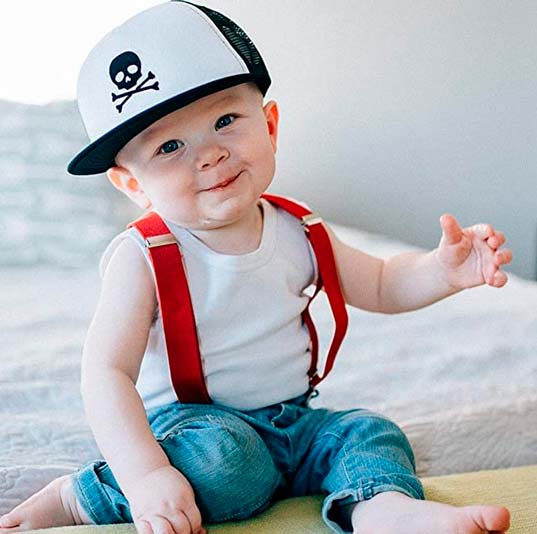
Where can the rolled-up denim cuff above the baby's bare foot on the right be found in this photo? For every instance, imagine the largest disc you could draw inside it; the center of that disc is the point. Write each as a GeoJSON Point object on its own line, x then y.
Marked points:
{"type": "Point", "coordinates": [410, 486]}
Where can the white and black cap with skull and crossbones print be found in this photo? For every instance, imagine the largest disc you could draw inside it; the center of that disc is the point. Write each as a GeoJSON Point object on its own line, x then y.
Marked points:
{"type": "Point", "coordinates": [158, 61]}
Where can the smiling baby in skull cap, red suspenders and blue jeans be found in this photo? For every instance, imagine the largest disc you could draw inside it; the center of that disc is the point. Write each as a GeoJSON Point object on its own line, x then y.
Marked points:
{"type": "Point", "coordinates": [197, 368]}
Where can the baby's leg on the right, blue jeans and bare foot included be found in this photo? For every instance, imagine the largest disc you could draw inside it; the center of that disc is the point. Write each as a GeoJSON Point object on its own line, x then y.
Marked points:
{"type": "Point", "coordinates": [369, 474]}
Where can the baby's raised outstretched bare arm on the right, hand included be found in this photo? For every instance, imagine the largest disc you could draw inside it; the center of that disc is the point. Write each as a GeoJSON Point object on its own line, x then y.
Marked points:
{"type": "Point", "coordinates": [464, 258]}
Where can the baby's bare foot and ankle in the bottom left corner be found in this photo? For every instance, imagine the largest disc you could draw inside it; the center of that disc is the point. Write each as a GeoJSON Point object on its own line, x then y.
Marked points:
{"type": "Point", "coordinates": [54, 506]}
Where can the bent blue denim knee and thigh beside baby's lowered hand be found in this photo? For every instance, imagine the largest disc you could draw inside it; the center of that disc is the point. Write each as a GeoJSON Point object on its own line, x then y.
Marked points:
{"type": "Point", "coordinates": [226, 462]}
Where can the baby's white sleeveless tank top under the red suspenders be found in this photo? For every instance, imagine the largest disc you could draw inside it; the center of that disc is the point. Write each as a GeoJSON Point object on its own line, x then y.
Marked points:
{"type": "Point", "coordinates": [254, 347]}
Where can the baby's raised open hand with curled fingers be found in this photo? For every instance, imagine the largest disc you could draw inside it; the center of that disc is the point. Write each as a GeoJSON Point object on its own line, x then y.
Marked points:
{"type": "Point", "coordinates": [470, 257]}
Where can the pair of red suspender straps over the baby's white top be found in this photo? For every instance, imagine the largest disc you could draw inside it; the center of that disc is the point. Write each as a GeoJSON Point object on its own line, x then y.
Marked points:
{"type": "Point", "coordinates": [176, 305]}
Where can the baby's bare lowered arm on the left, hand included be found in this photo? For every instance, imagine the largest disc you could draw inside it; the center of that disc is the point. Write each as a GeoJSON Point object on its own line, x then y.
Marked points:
{"type": "Point", "coordinates": [160, 496]}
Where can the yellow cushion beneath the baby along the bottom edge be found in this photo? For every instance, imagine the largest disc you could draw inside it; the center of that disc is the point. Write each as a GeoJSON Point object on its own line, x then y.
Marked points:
{"type": "Point", "coordinates": [515, 488]}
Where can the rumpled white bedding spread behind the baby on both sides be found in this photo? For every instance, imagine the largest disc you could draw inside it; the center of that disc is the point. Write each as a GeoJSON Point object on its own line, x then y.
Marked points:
{"type": "Point", "coordinates": [460, 376]}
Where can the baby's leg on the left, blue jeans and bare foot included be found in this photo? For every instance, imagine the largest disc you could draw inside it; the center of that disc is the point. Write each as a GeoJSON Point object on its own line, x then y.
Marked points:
{"type": "Point", "coordinates": [227, 463]}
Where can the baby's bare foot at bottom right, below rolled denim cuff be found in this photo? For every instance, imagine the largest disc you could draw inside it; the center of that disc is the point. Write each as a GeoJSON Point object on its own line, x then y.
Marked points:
{"type": "Point", "coordinates": [395, 513]}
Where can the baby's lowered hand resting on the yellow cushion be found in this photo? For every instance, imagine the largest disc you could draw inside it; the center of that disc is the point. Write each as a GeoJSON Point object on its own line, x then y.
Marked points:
{"type": "Point", "coordinates": [162, 502]}
